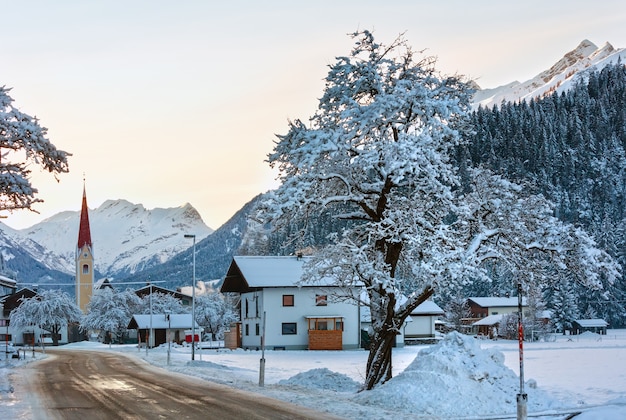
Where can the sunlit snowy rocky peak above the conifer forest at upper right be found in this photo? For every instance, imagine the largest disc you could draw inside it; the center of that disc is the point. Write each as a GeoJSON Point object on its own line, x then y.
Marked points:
{"type": "Point", "coordinates": [558, 78]}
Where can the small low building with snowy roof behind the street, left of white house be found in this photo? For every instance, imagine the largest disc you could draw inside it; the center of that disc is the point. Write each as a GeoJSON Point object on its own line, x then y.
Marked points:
{"type": "Point", "coordinates": [164, 327]}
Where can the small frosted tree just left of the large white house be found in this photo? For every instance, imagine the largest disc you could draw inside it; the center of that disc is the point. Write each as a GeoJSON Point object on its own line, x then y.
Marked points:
{"type": "Point", "coordinates": [215, 312]}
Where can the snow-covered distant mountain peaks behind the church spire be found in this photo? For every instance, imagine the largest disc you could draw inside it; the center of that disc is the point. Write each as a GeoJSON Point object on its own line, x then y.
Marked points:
{"type": "Point", "coordinates": [127, 237]}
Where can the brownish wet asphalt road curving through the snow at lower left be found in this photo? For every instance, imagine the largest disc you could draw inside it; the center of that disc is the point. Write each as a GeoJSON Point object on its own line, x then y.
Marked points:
{"type": "Point", "coordinates": [90, 385]}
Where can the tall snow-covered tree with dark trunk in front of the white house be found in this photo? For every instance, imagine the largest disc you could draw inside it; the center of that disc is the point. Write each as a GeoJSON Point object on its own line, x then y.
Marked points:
{"type": "Point", "coordinates": [377, 154]}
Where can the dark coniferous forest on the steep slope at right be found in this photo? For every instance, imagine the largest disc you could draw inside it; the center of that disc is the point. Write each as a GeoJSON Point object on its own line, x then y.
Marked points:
{"type": "Point", "coordinates": [571, 147]}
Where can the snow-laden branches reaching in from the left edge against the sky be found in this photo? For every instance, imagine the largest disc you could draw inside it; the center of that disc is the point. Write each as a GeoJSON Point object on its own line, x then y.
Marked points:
{"type": "Point", "coordinates": [23, 143]}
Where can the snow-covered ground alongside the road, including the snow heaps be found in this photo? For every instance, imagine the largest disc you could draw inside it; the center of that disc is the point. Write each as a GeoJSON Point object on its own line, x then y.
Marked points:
{"type": "Point", "coordinates": [460, 377]}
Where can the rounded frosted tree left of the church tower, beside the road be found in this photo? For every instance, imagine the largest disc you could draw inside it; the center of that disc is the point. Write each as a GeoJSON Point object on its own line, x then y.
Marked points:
{"type": "Point", "coordinates": [50, 310]}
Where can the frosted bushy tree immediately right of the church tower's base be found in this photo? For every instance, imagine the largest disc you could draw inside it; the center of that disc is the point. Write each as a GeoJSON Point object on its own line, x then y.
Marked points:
{"type": "Point", "coordinates": [110, 311]}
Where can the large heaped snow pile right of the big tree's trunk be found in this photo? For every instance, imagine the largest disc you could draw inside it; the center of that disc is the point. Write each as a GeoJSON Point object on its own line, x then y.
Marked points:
{"type": "Point", "coordinates": [456, 378]}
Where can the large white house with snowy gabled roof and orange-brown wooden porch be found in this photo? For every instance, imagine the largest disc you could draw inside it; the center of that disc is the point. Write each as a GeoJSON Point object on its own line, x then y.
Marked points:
{"type": "Point", "coordinates": [294, 316]}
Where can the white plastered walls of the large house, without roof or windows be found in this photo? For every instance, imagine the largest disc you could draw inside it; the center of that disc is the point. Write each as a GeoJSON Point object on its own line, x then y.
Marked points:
{"type": "Point", "coordinates": [271, 302]}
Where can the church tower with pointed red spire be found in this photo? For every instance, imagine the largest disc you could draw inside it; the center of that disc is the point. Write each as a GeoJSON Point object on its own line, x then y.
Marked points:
{"type": "Point", "coordinates": [84, 259]}
